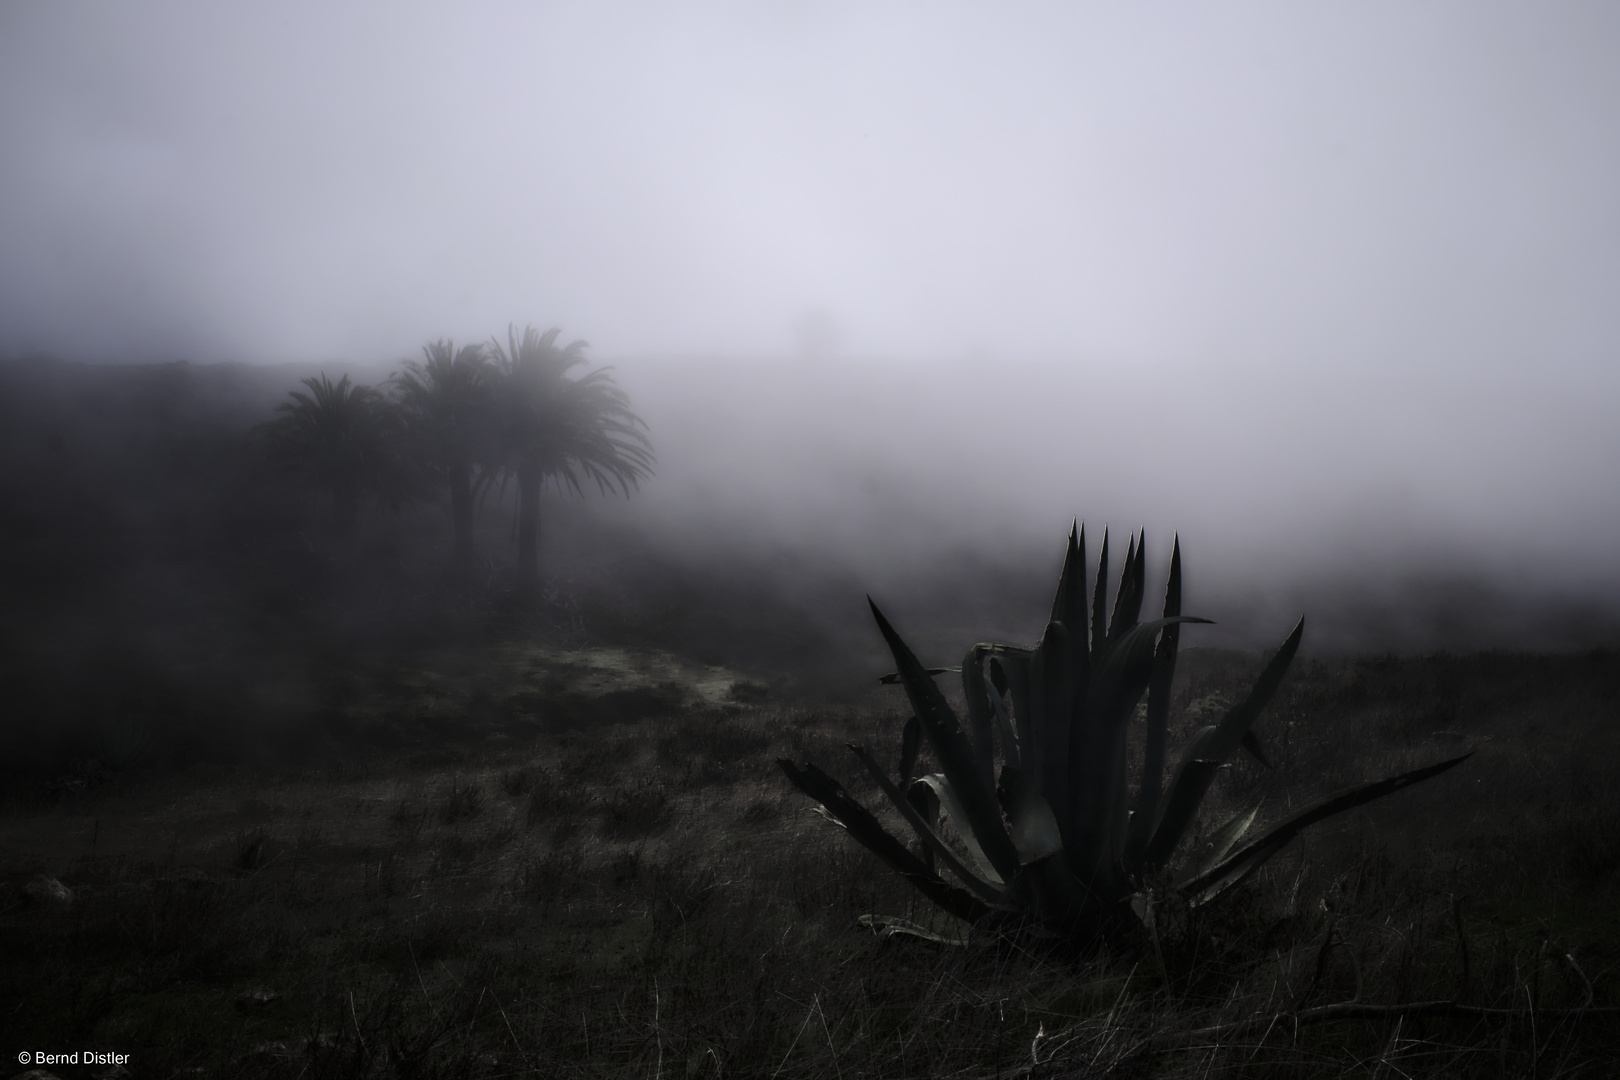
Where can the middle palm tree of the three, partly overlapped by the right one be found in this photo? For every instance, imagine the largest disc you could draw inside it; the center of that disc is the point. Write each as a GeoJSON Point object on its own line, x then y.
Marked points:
{"type": "Point", "coordinates": [450, 407]}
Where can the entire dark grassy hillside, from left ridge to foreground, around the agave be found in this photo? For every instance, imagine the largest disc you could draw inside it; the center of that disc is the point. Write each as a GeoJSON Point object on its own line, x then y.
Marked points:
{"type": "Point", "coordinates": [292, 809]}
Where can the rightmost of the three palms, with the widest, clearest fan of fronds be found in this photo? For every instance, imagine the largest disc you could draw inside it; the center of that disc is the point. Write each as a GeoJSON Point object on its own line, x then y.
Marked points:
{"type": "Point", "coordinates": [561, 430]}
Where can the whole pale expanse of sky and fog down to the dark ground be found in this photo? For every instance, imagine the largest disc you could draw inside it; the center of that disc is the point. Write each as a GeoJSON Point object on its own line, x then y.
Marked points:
{"type": "Point", "coordinates": [903, 289]}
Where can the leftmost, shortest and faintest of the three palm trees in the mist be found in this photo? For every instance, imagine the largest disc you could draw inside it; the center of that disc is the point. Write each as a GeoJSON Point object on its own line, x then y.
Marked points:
{"type": "Point", "coordinates": [343, 440]}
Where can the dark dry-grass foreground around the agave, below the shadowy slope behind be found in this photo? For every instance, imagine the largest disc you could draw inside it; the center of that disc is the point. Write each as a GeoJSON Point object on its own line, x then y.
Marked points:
{"type": "Point", "coordinates": [542, 864]}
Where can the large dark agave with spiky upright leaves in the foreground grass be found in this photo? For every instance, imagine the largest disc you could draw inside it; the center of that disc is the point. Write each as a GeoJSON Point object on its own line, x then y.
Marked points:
{"type": "Point", "coordinates": [1055, 838]}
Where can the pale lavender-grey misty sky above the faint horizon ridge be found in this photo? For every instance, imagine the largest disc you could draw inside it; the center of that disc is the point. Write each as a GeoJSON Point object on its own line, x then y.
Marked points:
{"type": "Point", "coordinates": [1323, 185]}
